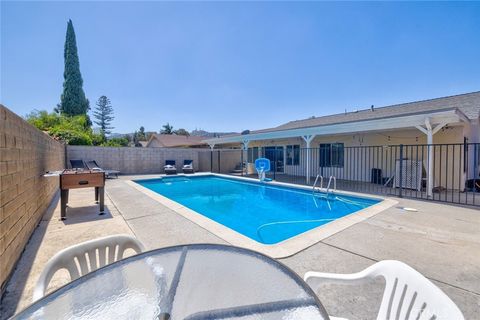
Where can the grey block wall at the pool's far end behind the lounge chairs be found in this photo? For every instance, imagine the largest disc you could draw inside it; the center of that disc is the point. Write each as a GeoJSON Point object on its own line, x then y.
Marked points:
{"type": "Point", "coordinates": [134, 160]}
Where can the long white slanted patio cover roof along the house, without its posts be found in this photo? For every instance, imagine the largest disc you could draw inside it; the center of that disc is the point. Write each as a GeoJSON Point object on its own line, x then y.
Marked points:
{"type": "Point", "coordinates": [401, 122]}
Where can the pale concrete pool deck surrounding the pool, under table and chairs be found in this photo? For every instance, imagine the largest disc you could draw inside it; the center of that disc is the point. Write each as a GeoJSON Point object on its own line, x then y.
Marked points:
{"type": "Point", "coordinates": [440, 241]}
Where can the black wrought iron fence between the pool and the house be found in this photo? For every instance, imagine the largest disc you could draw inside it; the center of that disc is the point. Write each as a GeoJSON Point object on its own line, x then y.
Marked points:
{"type": "Point", "coordinates": [440, 172]}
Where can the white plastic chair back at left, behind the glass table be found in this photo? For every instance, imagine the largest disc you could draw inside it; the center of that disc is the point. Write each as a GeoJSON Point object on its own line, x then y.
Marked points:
{"type": "Point", "coordinates": [74, 259]}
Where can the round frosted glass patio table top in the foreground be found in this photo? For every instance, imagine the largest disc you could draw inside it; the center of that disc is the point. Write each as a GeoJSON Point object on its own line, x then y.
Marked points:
{"type": "Point", "coordinates": [198, 281]}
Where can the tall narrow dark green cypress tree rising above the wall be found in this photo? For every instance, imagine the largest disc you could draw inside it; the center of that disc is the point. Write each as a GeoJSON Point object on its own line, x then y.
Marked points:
{"type": "Point", "coordinates": [73, 100]}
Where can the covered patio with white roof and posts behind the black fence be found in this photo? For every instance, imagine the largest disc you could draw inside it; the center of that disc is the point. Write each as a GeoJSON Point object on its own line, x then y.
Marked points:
{"type": "Point", "coordinates": [422, 167]}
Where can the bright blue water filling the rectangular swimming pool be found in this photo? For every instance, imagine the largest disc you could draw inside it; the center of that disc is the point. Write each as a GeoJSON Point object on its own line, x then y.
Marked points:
{"type": "Point", "coordinates": [263, 212]}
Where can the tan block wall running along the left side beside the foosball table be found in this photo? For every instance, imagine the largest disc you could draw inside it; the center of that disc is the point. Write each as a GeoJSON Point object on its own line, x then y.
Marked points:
{"type": "Point", "coordinates": [26, 153]}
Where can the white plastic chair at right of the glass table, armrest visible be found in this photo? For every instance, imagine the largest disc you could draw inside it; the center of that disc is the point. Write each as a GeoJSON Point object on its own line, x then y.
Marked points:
{"type": "Point", "coordinates": [408, 294]}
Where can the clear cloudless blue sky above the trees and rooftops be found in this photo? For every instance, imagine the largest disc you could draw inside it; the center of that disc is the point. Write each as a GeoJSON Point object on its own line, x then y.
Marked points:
{"type": "Point", "coordinates": [224, 66]}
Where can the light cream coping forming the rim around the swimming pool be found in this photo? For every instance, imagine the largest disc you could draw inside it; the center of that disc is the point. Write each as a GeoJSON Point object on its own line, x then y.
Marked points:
{"type": "Point", "coordinates": [281, 249]}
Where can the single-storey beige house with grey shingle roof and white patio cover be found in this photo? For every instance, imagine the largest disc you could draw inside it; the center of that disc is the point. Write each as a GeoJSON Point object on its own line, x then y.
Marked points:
{"type": "Point", "coordinates": [437, 139]}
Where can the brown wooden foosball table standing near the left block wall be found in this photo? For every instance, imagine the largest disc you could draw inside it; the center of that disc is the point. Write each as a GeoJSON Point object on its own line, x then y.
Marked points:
{"type": "Point", "coordinates": [73, 179]}
